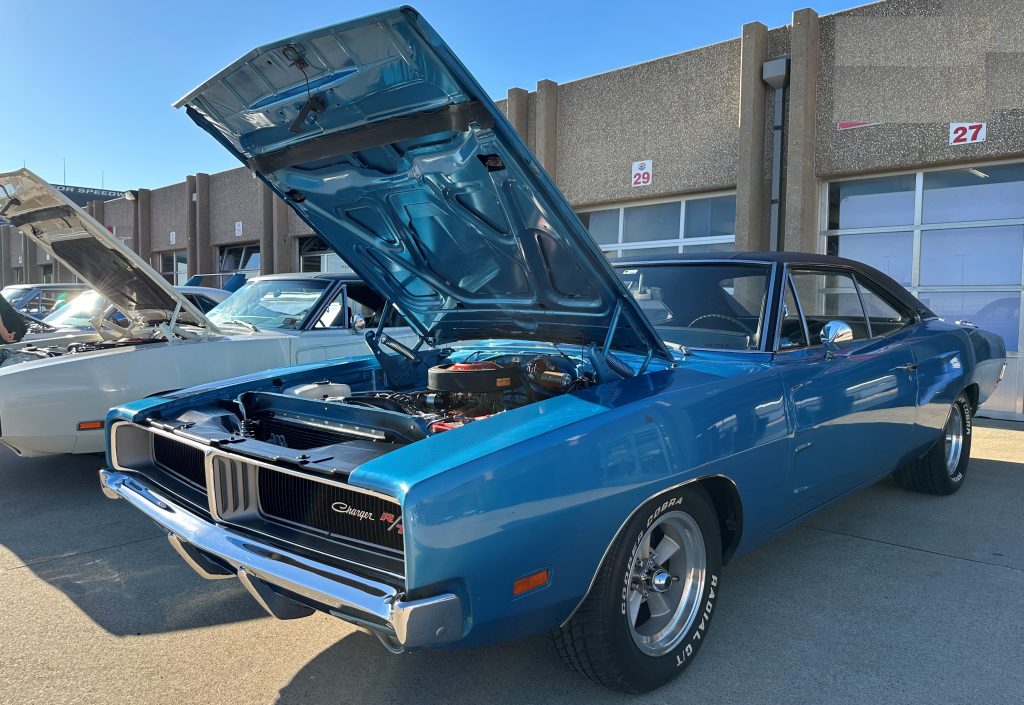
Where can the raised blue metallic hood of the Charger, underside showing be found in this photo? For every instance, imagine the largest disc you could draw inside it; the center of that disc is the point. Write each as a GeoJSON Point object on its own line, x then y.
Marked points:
{"type": "Point", "coordinates": [382, 142]}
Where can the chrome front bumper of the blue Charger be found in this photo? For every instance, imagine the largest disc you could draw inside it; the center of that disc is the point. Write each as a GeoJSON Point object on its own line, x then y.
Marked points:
{"type": "Point", "coordinates": [216, 552]}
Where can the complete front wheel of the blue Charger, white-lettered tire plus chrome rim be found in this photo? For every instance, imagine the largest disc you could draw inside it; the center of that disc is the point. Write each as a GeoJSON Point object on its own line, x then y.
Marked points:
{"type": "Point", "coordinates": [615, 639]}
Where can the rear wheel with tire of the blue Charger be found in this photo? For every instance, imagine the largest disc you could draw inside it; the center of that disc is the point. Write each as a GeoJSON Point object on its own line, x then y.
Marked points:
{"type": "Point", "coordinates": [943, 470]}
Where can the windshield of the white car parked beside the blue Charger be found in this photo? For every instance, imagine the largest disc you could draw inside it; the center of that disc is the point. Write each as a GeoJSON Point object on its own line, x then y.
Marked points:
{"type": "Point", "coordinates": [270, 304]}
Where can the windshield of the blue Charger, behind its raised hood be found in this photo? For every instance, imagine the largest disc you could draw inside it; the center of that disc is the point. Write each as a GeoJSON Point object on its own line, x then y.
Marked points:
{"type": "Point", "coordinates": [716, 306]}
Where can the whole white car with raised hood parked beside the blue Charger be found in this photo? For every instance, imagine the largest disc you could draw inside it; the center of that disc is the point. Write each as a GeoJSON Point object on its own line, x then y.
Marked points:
{"type": "Point", "coordinates": [58, 402]}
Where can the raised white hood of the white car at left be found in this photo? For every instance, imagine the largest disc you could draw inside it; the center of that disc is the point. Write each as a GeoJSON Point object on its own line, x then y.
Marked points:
{"type": "Point", "coordinates": [79, 242]}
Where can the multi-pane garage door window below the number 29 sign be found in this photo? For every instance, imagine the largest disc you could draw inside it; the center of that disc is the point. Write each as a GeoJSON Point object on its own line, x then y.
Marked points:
{"type": "Point", "coordinates": [666, 227]}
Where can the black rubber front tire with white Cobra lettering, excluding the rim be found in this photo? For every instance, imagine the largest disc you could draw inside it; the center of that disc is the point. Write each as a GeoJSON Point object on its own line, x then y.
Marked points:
{"type": "Point", "coordinates": [598, 642]}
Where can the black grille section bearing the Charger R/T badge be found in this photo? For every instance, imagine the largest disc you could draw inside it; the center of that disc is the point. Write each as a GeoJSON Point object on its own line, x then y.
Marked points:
{"type": "Point", "coordinates": [336, 511]}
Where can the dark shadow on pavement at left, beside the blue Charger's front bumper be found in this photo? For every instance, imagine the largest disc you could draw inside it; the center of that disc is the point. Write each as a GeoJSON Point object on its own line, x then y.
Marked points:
{"type": "Point", "coordinates": [113, 563]}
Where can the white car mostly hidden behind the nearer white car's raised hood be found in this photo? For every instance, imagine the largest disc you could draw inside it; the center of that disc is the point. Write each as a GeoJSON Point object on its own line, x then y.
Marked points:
{"type": "Point", "coordinates": [78, 321]}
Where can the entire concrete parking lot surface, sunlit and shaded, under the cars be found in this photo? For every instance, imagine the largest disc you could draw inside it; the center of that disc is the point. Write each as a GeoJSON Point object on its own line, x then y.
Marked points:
{"type": "Point", "coordinates": [887, 597]}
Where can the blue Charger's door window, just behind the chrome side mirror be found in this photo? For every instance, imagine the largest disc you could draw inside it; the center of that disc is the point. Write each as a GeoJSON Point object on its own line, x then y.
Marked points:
{"type": "Point", "coordinates": [830, 297]}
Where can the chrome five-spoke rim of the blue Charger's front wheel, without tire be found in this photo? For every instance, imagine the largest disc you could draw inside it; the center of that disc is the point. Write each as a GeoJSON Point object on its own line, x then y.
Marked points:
{"type": "Point", "coordinates": [668, 578]}
